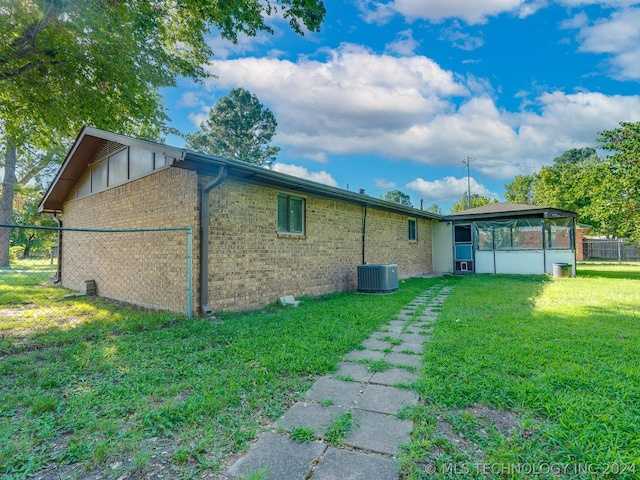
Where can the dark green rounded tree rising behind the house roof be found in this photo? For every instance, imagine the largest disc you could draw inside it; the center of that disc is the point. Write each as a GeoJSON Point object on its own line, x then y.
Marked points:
{"type": "Point", "coordinates": [239, 127]}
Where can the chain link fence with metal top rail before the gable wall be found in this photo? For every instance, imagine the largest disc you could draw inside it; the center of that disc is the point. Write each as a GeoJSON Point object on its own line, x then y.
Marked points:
{"type": "Point", "coordinates": [149, 267]}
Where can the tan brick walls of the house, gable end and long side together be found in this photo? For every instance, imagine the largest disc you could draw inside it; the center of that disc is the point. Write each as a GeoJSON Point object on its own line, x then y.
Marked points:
{"type": "Point", "coordinates": [250, 263]}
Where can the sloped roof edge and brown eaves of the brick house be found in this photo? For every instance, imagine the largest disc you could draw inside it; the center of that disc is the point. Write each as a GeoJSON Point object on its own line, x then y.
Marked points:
{"type": "Point", "coordinates": [90, 141]}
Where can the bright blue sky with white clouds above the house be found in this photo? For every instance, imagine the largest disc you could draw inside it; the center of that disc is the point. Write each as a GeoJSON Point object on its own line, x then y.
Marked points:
{"type": "Point", "coordinates": [396, 94]}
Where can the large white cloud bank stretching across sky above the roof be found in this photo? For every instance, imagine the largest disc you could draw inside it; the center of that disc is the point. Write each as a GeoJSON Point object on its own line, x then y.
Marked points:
{"type": "Point", "coordinates": [355, 102]}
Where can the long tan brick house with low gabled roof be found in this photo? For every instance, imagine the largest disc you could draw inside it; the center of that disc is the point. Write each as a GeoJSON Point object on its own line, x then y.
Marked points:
{"type": "Point", "coordinates": [257, 234]}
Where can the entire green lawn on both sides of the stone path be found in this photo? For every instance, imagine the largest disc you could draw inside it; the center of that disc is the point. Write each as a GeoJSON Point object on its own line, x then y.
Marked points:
{"type": "Point", "coordinates": [523, 372]}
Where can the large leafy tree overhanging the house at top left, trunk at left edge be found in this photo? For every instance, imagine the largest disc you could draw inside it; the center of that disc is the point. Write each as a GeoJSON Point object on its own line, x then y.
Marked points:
{"type": "Point", "coordinates": [65, 63]}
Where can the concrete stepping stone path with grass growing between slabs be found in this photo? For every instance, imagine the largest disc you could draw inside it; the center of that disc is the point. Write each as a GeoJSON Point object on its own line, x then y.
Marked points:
{"type": "Point", "coordinates": [373, 398]}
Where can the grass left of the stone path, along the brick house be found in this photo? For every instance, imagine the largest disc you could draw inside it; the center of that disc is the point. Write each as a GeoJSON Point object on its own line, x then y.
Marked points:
{"type": "Point", "coordinates": [93, 387]}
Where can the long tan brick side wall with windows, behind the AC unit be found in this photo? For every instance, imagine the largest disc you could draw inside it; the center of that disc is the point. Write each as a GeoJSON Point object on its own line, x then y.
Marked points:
{"type": "Point", "coordinates": [251, 264]}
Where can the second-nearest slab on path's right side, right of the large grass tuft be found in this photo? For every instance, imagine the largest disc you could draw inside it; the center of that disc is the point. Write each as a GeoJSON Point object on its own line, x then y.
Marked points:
{"type": "Point", "coordinates": [378, 432]}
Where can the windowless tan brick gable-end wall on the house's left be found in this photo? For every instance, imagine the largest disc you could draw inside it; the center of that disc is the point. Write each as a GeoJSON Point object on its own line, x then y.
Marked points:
{"type": "Point", "coordinates": [148, 268]}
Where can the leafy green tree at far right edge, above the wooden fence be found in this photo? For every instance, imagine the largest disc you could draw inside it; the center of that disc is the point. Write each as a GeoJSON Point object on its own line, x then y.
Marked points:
{"type": "Point", "coordinates": [616, 200]}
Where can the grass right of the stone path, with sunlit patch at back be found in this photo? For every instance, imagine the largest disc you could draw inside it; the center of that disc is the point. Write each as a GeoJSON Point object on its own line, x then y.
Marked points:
{"type": "Point", "coordinates": [554, 359]}
